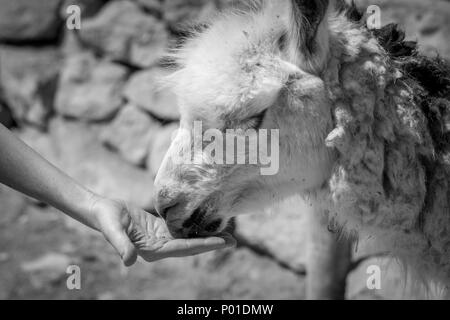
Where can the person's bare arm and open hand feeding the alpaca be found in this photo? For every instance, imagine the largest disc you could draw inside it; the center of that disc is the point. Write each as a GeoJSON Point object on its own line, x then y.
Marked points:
{"type": "Point", "coordinates": [128, 229]}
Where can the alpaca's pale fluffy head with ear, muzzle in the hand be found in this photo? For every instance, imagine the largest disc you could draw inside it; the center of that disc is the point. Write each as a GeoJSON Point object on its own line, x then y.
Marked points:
{"type": "Point", "coordinates": [256, 73]}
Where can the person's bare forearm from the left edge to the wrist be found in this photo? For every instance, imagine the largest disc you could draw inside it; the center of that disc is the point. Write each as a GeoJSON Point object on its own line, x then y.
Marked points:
{"type": "Point", "coordinates": [24, 170]}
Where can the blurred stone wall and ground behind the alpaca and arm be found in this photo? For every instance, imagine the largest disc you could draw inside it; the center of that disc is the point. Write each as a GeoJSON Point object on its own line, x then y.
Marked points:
{"type": "Point", "coordinates": [86, 100]}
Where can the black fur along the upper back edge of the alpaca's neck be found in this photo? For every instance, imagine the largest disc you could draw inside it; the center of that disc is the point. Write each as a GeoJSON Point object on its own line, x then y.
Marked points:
{"type": "Point", "coordinates": [430, 77]}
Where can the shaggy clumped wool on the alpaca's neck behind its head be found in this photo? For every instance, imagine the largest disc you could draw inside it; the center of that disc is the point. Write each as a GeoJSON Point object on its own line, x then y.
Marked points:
{"type": "Point", "coordinates": [392, 132]}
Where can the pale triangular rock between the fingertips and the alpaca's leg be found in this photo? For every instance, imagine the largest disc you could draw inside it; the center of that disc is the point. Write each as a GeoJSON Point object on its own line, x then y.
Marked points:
{"type": "Point", "coordinates": [282, 234]}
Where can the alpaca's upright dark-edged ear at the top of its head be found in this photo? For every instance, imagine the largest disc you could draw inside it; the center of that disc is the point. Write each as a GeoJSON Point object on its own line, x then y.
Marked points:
{"type": "Point", "coordinates": [309, 33]}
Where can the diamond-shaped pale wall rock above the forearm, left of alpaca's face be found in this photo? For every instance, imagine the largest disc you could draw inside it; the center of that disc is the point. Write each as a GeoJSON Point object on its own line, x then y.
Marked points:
{"type": "Point", "coordinates": [131, 134]}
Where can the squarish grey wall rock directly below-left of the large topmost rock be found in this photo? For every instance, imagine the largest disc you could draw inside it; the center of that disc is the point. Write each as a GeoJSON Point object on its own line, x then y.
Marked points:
{"type": "Point", "coordinates": [90, 90]}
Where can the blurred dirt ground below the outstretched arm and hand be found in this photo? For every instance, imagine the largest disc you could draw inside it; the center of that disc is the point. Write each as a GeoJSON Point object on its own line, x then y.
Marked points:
{"type": "Point", "coordinates": [37, 244]}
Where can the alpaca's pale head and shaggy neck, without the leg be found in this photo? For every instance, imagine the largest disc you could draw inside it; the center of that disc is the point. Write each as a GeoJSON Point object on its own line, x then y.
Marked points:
{"type": "Point", "coordinates": [363, 120]}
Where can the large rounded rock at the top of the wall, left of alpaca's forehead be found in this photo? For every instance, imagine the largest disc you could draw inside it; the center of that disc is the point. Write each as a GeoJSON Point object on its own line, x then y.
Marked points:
{"type": "Point", "coordinates": [125, 33]}
